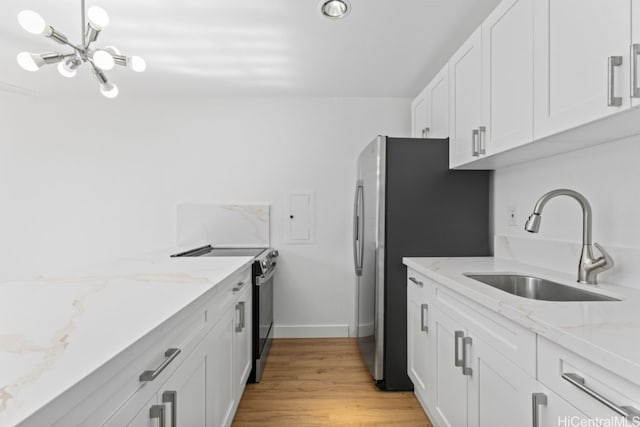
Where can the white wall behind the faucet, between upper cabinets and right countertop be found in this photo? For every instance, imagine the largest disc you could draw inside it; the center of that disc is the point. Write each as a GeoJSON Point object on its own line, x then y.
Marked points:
{"type": "Point", "coordinates": [608, 175]}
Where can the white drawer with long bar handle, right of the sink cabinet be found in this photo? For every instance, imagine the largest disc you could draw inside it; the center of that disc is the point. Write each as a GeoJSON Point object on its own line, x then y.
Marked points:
{"type": "Point", "coordinates": [555, 361]}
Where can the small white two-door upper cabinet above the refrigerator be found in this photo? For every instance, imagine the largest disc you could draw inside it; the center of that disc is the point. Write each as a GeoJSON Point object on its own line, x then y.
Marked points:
{"type": "Point", "coordinates": [430, 109]}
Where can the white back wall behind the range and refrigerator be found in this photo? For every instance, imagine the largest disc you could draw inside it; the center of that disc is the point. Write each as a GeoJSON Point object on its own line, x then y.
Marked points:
{"type": "Point", "coordinates": [91, 180]}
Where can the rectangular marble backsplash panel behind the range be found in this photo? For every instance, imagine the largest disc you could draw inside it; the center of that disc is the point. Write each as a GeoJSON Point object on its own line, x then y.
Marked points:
{"type": "Point", "coordinates": [222, 225]}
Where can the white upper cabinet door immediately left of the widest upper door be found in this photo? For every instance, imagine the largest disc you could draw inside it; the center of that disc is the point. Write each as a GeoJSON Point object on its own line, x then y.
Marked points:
{"type": "Point", "coordinates": [507, 48]}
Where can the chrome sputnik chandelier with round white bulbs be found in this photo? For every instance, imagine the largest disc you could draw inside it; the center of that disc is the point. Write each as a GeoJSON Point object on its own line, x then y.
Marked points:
{"type": "Point", "coordinates": [100, 59]}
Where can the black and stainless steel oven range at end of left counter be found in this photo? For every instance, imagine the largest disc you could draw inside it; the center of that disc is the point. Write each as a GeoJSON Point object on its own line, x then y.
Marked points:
{"type": "Point", "coordinates": [263, 269]}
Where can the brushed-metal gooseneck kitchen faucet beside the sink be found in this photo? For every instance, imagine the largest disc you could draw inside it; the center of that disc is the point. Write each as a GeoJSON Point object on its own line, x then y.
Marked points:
{"type": "Point", "coordinates": [589, 266]}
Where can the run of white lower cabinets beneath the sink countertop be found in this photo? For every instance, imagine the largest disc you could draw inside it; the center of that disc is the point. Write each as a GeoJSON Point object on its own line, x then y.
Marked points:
{"type": "Point", "coordinates": [473, 368]}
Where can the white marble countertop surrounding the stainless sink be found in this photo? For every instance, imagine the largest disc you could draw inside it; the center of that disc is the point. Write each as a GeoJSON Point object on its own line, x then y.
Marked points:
{"type": "Point", "coordinates": [605, 332]}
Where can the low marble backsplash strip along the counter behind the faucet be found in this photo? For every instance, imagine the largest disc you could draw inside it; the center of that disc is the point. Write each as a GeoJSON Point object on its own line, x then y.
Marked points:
{"type": "Point", "coordinates": [563, 256]}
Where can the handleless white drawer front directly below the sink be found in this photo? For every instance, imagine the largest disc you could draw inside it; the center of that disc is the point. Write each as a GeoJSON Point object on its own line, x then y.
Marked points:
{"type": "Point", "coordinates": [516, 343]}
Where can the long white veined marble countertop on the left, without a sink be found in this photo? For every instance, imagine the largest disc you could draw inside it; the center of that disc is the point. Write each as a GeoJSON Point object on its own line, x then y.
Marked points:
{"type": "Point", "coordinates": [55, 331]}
